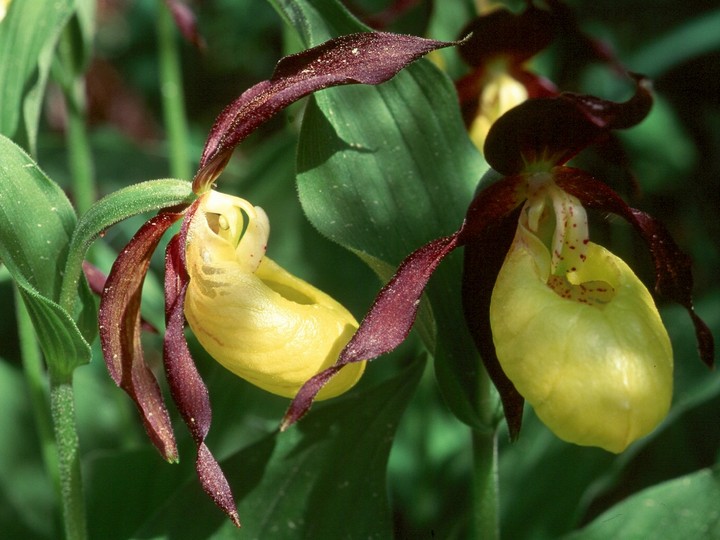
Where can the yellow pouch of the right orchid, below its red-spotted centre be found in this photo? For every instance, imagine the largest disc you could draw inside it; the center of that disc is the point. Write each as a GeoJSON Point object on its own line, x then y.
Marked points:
{"type": "Point", "coordinates": [596, 373]}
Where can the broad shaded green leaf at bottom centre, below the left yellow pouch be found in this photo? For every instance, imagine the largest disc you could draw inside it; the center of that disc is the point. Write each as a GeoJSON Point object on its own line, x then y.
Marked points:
{"type": "Point", "coordinates": [323, 478]}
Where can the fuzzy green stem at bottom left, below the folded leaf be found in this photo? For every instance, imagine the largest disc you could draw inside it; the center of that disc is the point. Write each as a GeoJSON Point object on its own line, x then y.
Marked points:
{"type": "Point", "coordinates": [62, 406]}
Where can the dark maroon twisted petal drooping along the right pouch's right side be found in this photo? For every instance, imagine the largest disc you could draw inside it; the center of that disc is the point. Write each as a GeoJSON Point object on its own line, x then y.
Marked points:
{"type": "Point", "coordinates": [673, 268]}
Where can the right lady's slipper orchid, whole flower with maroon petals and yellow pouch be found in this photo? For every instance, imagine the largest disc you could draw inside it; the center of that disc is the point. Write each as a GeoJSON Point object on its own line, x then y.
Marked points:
{"type": "Point", "coordinates": [557, 319]}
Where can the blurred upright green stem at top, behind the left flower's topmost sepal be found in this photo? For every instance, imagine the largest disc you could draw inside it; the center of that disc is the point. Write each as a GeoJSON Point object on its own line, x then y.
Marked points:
{"type": "Point", "coordinates": [173, 98]}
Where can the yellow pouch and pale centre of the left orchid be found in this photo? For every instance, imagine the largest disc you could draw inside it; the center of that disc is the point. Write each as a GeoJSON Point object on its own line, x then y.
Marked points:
{"type": "Point", "coordinates": [256, 319]}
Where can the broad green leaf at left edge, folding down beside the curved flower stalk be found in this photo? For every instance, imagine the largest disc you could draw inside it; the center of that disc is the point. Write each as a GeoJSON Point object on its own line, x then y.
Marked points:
{"type": "Point", "coordinates": [36, 221]}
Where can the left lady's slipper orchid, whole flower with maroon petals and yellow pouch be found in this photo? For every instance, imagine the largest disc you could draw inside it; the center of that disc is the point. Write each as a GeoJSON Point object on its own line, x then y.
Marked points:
{"type": "Point", "coordinates": [256, 319]}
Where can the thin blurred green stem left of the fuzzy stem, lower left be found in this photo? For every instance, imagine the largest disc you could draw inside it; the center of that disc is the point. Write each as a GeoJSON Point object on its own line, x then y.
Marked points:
{"type": "Point", "coordinates": [36, 381]}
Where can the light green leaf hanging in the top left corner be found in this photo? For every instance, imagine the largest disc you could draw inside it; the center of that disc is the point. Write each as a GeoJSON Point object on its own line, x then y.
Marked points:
{"type": "Point", "coordinates": [28, 36]}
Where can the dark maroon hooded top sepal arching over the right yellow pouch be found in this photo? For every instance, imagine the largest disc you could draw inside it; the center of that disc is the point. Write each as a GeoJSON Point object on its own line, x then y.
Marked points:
{"type": "Point", "coordinates": [553, 130]}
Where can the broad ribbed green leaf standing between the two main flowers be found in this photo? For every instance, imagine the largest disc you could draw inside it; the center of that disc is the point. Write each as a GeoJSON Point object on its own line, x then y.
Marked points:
{"type": "Point", "coordinates": [382, 171]}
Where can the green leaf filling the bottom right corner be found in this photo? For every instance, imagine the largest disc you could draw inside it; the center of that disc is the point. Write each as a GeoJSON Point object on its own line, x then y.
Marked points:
{"type": "Point", "coordinates": [682, 508]}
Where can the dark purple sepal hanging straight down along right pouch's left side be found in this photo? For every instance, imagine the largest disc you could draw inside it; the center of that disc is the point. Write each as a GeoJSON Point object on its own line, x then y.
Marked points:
{"type": "Point", "coordinates": [490, 226]}
